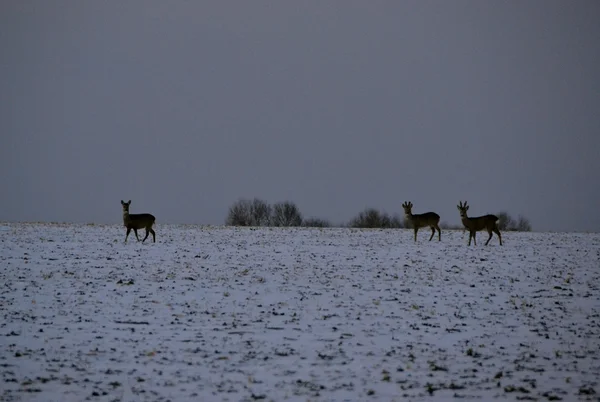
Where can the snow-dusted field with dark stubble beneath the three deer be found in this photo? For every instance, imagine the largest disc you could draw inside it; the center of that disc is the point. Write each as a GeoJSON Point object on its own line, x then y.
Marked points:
{"type": "Point", "coordinates": [242, 314]}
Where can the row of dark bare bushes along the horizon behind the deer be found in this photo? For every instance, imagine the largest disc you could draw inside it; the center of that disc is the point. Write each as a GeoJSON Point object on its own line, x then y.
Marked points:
{"type": "Point", "coordinates": [257, 212]}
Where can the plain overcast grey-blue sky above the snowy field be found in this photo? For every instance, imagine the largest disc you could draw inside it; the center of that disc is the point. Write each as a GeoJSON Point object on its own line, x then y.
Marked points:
{"type": "Point", "coordinates": [186, 106]}
